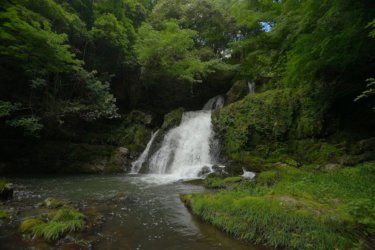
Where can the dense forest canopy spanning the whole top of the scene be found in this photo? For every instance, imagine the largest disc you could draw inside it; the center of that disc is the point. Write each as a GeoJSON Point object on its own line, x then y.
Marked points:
{"type": "Point", "coordinates": [81, 59]}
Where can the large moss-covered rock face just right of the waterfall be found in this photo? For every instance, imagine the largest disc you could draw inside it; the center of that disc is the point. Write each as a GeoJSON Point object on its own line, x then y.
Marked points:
{"type": "Point", "coordinates": [278, 126]}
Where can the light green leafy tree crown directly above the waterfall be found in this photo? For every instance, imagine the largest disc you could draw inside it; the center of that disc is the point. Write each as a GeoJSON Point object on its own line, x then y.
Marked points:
{"type": "Point", "coordinates": [170, 52]}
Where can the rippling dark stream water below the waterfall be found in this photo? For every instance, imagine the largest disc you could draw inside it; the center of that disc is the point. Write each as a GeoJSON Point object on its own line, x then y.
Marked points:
{"type": "Point", "coordinates": [151, 217]}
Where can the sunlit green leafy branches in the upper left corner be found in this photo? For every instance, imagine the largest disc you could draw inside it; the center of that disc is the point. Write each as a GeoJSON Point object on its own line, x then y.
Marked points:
{"type": "Point", "coordinates": [29, 41]}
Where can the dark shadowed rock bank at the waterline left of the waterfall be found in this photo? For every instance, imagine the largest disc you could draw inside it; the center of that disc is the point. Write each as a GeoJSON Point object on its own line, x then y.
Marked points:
{"type": "Point", "coordinates": [67, 158]}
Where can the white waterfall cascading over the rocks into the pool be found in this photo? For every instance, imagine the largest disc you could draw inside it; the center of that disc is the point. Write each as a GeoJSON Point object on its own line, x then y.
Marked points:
{"type": "Point", "coordinates": [185, 149]}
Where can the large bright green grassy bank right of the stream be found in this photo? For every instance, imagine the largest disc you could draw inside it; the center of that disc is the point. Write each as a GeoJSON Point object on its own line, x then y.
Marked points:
{"type": "Point", "coordinates": [296, 208]}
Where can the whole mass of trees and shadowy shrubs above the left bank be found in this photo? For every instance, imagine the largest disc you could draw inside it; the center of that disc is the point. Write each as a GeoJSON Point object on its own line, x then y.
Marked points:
{"type": "Point", "coordinates": [42, 81]}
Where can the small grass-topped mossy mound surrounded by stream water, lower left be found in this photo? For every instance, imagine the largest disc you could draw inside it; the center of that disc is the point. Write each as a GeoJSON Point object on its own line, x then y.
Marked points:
{"type": "Point", "coordinates": [62, 221]}
